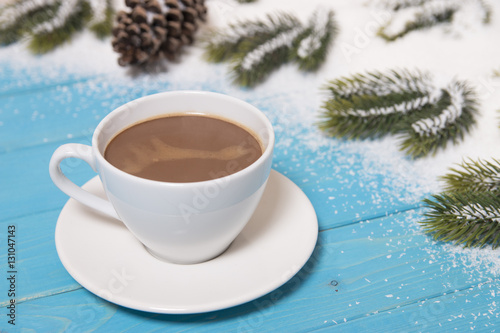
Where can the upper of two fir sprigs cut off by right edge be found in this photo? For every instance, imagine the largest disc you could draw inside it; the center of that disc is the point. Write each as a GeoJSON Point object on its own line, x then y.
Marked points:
{"type": "Point", "coordinates": [475, 176]}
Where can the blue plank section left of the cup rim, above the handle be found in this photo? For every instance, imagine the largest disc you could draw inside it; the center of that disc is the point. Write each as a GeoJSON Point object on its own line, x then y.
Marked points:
{"type": "Point", "coordinates": [59, 113]}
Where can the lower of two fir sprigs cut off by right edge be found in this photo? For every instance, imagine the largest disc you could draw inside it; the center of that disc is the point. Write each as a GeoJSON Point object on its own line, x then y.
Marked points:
{"type": "Point", "coordinates": [471, 219]}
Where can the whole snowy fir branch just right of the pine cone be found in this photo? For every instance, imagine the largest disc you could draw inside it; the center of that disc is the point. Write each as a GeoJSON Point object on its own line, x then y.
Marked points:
{"type": "Point", "coordinates": [257, 48]}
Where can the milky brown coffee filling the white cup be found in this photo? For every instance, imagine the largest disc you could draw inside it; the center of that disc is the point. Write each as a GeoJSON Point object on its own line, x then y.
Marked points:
{"type": "Point", "coordinates": [186, 147]}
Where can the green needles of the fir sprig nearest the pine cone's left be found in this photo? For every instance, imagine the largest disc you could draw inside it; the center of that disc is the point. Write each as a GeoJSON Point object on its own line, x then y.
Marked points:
{"type": "Point", "coordinates": [45, 42]}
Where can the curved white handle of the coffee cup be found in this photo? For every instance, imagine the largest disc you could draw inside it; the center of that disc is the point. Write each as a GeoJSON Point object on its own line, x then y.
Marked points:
{"type": "Point", "coordinates": [84, 153]}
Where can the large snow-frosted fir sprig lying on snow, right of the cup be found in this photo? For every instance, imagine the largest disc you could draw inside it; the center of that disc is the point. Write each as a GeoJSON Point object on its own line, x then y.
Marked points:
{"type": "Point", "coordinates": [400, 102]}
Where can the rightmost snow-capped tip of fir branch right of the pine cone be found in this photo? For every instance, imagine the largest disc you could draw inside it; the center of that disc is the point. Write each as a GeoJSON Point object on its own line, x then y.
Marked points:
{"type": "Point", "coordinates": [311, 48]}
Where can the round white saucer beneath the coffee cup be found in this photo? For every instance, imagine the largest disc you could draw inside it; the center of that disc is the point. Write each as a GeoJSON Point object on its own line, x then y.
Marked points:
{"type": "Point", "coordinates": [105, 258]}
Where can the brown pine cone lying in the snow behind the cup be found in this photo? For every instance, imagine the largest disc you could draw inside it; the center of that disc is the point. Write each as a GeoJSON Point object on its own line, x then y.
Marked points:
{"type": "Point", "coordinates": [155, 28]}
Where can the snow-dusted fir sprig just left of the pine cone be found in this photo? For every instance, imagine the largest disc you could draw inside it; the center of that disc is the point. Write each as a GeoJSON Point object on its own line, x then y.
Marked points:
{"type": "Point", "coordinates": [46, 37]}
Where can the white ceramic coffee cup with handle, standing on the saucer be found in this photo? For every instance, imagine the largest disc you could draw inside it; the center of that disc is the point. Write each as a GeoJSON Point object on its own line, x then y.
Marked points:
{"type": "Point", "coordinates": [178, 222]}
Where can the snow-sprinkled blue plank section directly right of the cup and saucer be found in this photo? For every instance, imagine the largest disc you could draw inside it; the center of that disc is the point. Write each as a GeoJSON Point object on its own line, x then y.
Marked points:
{"type": "Point", "coordinates": [342, 195]}
